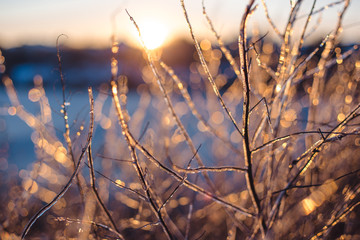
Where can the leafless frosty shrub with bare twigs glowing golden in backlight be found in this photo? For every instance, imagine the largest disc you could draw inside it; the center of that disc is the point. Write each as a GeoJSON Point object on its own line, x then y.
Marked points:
{"type": "Point", "coordinates": [268, 153]}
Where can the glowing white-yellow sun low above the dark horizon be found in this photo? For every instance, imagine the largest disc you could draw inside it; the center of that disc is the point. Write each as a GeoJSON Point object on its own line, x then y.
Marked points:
{"type": "Point", "coordinates": [153, 34]}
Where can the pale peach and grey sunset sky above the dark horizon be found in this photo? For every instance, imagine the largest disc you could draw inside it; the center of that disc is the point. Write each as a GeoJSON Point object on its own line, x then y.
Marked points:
{"type": "Point", "coordinates": [88, 23]}
